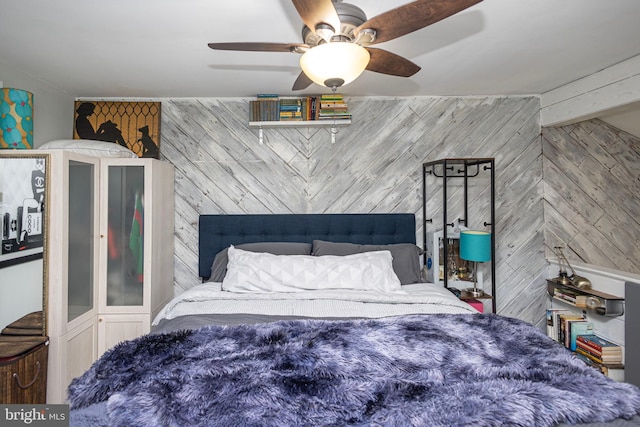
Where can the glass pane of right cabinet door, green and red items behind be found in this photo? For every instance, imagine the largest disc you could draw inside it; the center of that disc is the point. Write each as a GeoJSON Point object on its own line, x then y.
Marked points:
{"type": "Point", "coordinates": [125, 243]}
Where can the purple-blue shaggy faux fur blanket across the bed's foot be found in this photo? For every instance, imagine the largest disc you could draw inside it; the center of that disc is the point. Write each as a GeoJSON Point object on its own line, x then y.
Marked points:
{"type": "Point", "coordinates": [418, 370]}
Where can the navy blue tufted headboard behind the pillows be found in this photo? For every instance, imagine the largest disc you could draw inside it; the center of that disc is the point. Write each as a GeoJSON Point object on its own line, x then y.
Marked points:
{"type": "Point", "coordinates": [217, 232]}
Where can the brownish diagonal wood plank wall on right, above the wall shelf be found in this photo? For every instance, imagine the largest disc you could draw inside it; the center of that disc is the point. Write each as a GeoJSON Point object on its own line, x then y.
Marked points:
{"type": "Point", "coordinates": [591, 187]}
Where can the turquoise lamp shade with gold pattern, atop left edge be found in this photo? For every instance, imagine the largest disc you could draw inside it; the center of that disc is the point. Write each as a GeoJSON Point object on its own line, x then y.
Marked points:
{"type": "Point", "coordinates": [16, 118]}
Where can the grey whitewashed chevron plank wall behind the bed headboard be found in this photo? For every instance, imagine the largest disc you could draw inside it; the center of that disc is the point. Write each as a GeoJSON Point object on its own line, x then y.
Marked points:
{"type": "Point", "coordinates": [375, 166]}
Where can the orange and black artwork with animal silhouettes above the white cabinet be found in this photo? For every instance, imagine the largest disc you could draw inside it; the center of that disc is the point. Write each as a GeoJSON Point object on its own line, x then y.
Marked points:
{"type": "Point", "coordinates": [135, 125]}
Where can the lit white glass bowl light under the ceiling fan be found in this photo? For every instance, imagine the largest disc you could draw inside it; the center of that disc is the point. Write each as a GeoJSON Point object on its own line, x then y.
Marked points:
{"type": "Point", "coordinates": [330, 64]}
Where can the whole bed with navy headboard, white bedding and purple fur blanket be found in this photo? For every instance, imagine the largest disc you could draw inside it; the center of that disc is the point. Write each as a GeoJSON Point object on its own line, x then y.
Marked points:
{"type": "Point", "coordinates": [324, 320]}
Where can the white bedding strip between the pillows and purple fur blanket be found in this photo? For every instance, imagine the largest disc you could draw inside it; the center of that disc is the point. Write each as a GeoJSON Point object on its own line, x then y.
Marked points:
{"type": "Point", "coordinates": [419, 298]}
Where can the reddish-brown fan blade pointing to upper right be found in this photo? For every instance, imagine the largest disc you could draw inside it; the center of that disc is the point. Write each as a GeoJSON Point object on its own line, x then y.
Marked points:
{"type": "Point", "coordinates": [412, 16]}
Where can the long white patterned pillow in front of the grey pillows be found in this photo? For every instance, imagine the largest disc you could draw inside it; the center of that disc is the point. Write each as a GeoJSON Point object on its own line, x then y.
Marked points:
{"type": "Point", "coordinates": [264, 272]}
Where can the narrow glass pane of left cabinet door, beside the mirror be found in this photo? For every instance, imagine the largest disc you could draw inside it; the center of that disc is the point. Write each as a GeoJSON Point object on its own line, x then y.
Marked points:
{"type": "Point", "coordinates": [81, 237]}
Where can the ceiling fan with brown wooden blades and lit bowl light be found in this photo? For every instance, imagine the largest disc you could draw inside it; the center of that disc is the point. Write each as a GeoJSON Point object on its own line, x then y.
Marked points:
{"type": "Point", "coordinates": [336, 38]}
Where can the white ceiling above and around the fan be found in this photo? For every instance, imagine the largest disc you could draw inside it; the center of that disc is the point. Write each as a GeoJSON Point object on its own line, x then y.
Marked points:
{"type": "Point", "coordinates": [158, 48]}
